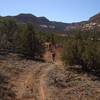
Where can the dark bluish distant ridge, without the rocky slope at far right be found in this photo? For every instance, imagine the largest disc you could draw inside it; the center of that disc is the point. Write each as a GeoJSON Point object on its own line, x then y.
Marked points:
{"type": "Point", "coordinates": [42, 23]}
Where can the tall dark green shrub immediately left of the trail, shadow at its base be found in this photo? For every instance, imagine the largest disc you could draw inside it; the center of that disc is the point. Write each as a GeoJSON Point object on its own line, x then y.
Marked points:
{"type": "Point", "coordinates": [27, 42]}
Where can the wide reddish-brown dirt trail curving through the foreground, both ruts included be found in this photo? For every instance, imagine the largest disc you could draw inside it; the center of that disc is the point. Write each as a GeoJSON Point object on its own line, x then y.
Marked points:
{"type": "Point", "coordinates": [30, 84]}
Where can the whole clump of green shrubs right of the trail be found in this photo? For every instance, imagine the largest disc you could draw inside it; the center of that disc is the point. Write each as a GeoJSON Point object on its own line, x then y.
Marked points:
{"type": "Point", "coordinates": [81, 51]}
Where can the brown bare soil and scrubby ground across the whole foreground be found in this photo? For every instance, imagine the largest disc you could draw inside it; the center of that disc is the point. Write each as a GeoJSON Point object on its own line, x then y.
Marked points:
{"type": "Point", "coordinates": [23, 79]}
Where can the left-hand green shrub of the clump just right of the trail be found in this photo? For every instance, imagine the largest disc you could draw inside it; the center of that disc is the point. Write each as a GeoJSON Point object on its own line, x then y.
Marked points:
{"type": "Point", "coordinates": [72, 52]}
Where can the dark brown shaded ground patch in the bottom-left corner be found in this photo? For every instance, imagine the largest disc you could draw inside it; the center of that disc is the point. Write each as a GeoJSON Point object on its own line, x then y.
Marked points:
{"type": "Point", "coordinates": [6, 92]}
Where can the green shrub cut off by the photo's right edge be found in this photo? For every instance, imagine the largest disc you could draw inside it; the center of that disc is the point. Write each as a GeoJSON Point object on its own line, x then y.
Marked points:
{"type": "Point", "coordinates": [91, 55]}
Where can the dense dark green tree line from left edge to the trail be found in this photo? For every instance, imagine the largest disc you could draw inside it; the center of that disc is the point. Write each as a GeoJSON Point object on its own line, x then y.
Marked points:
{"type": "Point", "coordinates": [20, 38]}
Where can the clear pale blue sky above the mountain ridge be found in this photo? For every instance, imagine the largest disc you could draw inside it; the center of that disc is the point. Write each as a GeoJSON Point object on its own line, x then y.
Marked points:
{"type": "Point", "coordinates": [58, 10]}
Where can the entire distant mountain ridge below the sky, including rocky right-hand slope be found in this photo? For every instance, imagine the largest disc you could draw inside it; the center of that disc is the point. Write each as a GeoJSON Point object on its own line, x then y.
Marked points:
{"type": "Point", "coordinates": [44, 24]}
